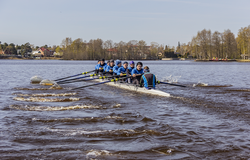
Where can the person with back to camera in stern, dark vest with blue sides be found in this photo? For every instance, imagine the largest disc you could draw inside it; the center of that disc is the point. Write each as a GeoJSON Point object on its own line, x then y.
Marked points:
{"type": "Point", "coordinates": [148, 80]}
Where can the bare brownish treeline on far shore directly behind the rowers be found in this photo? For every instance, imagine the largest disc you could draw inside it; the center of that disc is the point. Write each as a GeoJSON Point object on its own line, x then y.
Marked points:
{"type": "Point", "coordinates": [97, 49]}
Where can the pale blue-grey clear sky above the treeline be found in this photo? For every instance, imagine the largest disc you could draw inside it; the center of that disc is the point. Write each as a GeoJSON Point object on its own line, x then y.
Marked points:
{"type": "Point", "coordinates": [166, 22]}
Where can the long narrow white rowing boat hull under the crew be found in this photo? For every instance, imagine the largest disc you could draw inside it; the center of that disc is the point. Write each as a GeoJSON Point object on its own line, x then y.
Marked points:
{"type": "Point", "coordinates": [132, 87]}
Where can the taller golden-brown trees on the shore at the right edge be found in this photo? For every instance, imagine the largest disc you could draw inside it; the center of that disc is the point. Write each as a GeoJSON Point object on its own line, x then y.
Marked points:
{"type": "Point", "coordinates": [206, 45]}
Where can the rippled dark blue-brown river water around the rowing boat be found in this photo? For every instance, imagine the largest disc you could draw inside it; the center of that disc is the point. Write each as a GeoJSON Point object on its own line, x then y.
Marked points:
{"type": "Point", "coordinates": [208, 119]}
